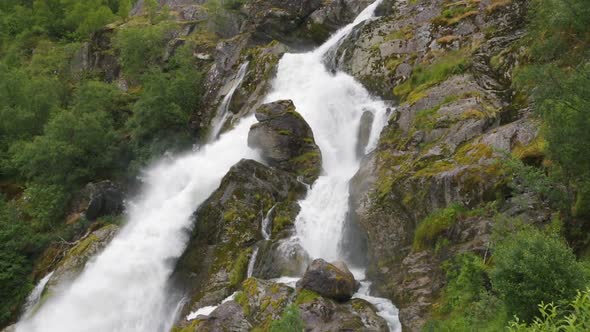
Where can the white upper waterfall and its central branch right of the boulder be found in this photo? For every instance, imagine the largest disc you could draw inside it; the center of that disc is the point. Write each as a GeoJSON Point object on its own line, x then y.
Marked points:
{"type": "Point", "coordinates": [332, 104]}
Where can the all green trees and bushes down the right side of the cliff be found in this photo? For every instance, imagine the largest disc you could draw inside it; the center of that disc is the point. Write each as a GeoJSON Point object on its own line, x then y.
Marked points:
{"type": "Point", "coordinates": [533, 276]}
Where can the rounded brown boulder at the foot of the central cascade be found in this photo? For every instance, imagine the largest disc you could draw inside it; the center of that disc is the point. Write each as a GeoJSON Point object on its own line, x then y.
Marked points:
{"type": "Point", "coordinates": [333, 281]}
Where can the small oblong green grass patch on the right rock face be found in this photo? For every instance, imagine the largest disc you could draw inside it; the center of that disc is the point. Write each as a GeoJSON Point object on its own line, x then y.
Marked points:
{"type": "Point", "coordinates": [434, 225]}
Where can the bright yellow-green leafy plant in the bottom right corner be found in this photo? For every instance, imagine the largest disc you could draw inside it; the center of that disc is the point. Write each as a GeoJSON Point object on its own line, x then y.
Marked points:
{"type": "Point", "coordinates": [552, 318]}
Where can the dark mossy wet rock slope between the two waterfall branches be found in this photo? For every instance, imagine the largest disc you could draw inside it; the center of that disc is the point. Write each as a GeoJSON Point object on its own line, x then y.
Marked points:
{"type": "Point", "coordinates": [227, 226]}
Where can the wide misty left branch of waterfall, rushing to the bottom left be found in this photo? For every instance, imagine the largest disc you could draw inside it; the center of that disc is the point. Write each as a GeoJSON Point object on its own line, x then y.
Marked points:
{"type": "Point", "coordinates": [124, 288]}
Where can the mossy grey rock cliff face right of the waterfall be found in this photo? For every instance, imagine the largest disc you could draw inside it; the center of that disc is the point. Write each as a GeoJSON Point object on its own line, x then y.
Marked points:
{"type": "Point", "coordinates": [449, 66]}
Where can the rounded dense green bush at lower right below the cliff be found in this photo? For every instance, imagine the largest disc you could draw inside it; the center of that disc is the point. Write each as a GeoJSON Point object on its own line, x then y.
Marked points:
{"type": "Point", "coordinates": [532, 267]}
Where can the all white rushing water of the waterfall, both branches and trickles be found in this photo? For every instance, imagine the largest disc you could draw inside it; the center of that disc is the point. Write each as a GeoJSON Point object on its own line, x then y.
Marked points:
{"type": "Point", "coordinates": [124, 287]}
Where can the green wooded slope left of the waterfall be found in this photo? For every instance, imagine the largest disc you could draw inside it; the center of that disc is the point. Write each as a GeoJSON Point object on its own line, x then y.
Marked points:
{"type": "Point", "coordinates": [66, 119]}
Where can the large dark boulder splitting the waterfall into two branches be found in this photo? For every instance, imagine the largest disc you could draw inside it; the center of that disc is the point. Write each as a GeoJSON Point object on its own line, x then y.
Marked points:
{"type": "Point", "coordinates": [285, 140]}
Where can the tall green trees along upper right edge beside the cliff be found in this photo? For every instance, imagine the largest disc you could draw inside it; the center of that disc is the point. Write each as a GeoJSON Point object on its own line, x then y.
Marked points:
{"type": "Point", "coordinates": [558, 77]}
